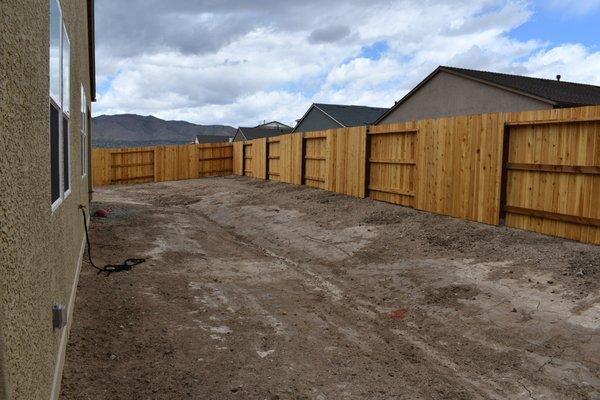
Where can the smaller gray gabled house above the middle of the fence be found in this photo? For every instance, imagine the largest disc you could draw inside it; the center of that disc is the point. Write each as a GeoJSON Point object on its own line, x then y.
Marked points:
{"type": "Point", "coordinates": [331, 116]}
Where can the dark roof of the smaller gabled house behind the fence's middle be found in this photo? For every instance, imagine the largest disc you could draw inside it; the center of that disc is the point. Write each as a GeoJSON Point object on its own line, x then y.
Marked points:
{"type": "Point", "coordinates": [347, 115]}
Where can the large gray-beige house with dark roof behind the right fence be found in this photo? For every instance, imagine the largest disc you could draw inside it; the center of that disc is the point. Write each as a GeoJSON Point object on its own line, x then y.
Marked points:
{"type": "Point", "coordinates": [451, 91]}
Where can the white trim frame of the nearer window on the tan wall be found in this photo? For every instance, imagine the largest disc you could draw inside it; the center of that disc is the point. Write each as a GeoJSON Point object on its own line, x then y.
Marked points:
{"type": "Point", "coordinates": [61, 112]}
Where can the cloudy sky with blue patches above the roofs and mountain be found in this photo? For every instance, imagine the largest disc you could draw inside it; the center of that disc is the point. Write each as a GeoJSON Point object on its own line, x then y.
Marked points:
{"type": "Point", "coordinates": [240, 62]}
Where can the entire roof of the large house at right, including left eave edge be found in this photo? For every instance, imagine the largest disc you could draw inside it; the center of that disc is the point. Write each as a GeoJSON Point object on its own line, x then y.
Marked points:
{"type": "Point", "coordinates": [557, 93]}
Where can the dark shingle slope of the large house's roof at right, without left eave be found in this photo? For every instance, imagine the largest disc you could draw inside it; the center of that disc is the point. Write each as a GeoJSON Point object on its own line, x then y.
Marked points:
{"type": "Point", "coordinates": [563, 94]}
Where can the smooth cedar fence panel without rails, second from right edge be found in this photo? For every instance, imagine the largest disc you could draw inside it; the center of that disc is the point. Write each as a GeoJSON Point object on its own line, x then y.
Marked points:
{"type": "Point", "coordinates": [459, 166]}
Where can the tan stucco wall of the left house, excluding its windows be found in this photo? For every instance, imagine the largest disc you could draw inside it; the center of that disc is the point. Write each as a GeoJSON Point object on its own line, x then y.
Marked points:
{"type": "Point", "coordinates": [39, 249]}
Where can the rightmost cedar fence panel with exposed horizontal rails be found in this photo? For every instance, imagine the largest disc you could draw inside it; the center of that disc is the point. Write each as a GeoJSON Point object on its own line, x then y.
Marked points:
{"type": "Point", "coordinates": [553, 179]}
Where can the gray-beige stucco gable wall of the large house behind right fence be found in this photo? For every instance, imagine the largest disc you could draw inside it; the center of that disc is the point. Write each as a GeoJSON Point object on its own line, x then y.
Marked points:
{"type": "Point", "coordinates": [448, 94]}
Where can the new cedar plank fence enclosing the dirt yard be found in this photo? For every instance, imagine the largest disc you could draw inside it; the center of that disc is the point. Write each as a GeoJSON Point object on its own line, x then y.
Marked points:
{"type": "Point", "coordinates": [535, 170]}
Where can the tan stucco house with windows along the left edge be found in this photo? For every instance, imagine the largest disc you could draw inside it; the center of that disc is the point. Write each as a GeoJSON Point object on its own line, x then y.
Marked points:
{"type": "Point", "coordinates": [47, 83]}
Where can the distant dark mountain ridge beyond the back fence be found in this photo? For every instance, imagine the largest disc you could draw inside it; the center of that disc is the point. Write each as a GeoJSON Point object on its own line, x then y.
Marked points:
{"type": "Point", "coordinates": [137, 130]}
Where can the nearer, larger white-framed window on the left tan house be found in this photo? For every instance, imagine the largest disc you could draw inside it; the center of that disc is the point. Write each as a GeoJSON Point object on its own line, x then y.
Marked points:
{"type": "Point", "coordinates": [60, 101]}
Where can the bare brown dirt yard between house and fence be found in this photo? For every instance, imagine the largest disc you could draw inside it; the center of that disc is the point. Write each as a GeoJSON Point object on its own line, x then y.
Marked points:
{"type": "Point", "coordinates": [262, 290]}
